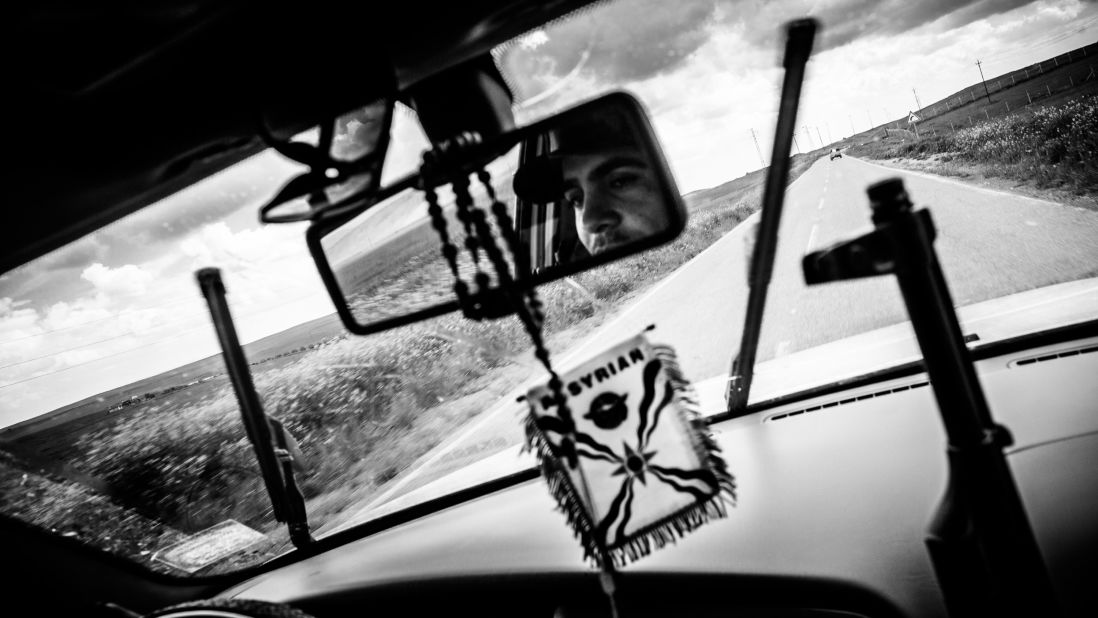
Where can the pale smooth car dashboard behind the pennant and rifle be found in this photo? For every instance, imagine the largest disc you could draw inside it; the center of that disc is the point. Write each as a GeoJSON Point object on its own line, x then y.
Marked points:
{"type": "Point", "coordinates": [835, 497]}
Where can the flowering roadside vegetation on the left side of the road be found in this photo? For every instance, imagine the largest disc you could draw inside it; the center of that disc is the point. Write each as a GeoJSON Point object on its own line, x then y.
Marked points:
{"type": "Point", "coordinates": [363, 409]}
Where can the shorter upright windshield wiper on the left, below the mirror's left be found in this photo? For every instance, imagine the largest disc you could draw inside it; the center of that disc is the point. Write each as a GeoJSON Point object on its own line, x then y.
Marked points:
{"type": "Point", "coordinates": [271, 441]}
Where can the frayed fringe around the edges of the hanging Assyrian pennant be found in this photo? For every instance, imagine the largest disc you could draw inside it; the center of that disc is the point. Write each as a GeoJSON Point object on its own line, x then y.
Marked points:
{"type": "Point", "coordinates": [665, 532]}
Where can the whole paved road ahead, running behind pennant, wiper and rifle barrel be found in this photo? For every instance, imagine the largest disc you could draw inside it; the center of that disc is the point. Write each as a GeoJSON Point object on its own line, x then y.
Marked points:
{"type": "Point", "coordinates": [992, 244]}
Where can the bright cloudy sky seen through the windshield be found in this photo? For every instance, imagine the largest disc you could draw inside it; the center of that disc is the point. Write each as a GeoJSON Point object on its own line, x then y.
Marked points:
{"type": "Point", "coordinates": [122, 305]}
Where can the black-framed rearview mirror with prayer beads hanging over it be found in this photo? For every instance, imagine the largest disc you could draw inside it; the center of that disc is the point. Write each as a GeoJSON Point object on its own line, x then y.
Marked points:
{"type": "Point", "coordinates": [574, 192]}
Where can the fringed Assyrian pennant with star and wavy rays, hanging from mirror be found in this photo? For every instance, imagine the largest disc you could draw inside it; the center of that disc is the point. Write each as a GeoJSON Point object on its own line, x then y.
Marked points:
{"type": "Point", "coordinates": [630, 460]}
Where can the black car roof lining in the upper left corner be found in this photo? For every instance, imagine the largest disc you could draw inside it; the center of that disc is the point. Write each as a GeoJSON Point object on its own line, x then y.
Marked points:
{"type": "Point", "coordinates": [124, 105]}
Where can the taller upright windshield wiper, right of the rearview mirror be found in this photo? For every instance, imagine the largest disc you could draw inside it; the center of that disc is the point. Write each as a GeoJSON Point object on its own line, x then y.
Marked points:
{"type": "Point", "coordinates": [799, 47]}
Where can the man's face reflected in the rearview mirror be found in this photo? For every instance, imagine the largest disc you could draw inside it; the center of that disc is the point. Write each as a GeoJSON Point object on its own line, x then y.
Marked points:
{"type": "Point", "coordinates": [617, 198]}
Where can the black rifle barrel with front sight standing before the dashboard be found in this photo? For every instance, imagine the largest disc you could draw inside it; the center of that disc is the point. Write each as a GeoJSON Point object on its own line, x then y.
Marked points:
{"type": "Point", "coordinates": [984, 552]}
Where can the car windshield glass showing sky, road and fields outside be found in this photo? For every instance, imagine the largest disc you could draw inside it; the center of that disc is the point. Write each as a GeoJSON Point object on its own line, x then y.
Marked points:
{"type": "Point", "coordinates": [119, 426]}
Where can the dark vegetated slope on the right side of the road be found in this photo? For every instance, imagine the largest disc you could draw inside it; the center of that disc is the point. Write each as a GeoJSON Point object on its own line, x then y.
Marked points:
{"type": "Point", "coordinates": [1051, 148]}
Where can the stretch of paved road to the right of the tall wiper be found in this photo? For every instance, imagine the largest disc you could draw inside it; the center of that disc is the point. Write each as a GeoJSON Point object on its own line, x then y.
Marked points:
{"type": "Point", "coordinates": [991, 245]}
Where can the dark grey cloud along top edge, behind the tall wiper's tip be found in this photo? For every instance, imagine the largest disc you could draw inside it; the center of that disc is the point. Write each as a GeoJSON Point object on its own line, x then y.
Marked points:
{"type": "Point", "coordinates": [629, 42]}
